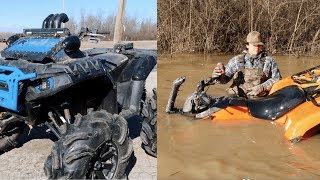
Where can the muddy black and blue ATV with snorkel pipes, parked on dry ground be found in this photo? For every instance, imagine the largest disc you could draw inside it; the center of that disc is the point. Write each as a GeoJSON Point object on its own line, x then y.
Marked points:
{"type": "Point", "coordinates": [84, 97]}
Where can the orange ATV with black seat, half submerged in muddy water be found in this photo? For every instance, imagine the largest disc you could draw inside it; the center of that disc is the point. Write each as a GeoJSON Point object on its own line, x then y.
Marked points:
{"type": "Point", "coordinates": [293, 102]}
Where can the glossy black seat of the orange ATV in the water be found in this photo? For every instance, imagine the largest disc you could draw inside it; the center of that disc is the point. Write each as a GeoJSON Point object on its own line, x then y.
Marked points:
{"type": "Point", "coordinates": [277, 104]}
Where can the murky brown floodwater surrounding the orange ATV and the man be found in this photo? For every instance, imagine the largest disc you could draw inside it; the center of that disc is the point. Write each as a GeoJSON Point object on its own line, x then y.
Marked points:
{"type": "Point", "coordinates": [204, 149]}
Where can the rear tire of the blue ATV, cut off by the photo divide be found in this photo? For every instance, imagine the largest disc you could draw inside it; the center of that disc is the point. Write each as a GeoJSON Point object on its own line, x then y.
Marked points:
{"type": "Point", "coordinates": [148, 132]}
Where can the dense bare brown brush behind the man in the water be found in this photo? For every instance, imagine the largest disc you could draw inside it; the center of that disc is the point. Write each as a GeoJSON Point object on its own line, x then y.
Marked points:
{"type": "Point", "coordinates": [288, 26]}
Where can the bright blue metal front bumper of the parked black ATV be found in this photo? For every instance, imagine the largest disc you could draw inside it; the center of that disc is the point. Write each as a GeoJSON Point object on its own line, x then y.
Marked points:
{"type": "Point", "coordinates": [9, 86]}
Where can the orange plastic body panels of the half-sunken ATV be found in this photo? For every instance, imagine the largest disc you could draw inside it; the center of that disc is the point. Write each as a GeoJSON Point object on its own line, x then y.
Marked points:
{"type": "Point", "coordinates": [296, 122]}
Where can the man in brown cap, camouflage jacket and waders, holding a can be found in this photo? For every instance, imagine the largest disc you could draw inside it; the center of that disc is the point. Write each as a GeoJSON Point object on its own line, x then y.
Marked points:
{"type": "Point", "coordinates": [254, 72]}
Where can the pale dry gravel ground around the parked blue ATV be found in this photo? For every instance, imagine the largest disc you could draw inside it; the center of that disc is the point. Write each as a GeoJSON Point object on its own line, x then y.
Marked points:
{"type": "Point", "coordinates": [27, 161]}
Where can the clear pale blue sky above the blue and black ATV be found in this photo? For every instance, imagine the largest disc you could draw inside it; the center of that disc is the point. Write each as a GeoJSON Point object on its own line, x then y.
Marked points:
{"type": "Point", "coordinates": [15, 15]}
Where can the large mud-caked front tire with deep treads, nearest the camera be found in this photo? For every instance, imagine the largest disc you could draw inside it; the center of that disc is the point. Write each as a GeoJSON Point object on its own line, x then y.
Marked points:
{"type": "Point", "coordinates": [96, 146]}
